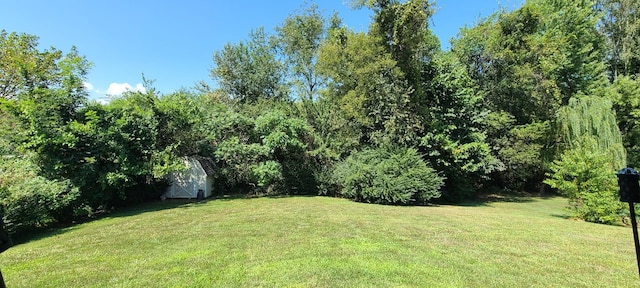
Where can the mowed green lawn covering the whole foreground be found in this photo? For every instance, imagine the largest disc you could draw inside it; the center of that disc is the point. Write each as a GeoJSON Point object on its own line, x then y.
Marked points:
{"type": "Point", "coordinates": [328, 242]}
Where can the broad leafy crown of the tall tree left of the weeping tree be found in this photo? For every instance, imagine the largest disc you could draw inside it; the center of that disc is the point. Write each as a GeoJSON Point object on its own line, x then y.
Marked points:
{"type": "Point", "coordinates": [531, 61]}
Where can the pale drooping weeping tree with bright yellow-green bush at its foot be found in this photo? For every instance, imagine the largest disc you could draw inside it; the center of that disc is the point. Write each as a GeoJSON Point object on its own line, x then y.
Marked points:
{"type": "Point", "coordinates": [593, 151]}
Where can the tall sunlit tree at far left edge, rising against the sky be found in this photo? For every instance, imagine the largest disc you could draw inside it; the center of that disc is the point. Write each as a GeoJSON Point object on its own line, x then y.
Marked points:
{"type": "Point", "coordinates": [48, 91]}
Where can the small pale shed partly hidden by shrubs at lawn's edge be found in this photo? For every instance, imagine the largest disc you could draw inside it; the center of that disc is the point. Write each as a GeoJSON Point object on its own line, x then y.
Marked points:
{"type": "Point", "coordinates": [197, 176]}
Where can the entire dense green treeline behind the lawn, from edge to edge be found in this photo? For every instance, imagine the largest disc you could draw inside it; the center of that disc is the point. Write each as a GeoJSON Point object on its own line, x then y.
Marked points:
{"type": "Point", "coordinates": [545, 96]}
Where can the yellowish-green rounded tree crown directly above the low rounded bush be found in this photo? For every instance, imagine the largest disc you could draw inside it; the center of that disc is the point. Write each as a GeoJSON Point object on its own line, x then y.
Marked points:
{"type": "Point", "coordinates": [368, 87]}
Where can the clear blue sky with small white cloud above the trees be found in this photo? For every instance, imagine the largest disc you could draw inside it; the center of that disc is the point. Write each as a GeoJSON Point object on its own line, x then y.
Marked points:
{"type": "Point", "coordinates": [172, 42]}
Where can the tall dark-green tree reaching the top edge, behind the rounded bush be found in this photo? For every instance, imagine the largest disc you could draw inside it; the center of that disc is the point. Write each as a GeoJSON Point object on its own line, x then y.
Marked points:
{"type": "Point", "coordinates": [445, 118]}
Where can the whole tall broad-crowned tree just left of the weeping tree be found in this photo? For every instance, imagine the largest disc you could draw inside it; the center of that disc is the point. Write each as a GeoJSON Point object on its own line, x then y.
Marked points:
{"type": "Point", "coordinates": [528, 63]}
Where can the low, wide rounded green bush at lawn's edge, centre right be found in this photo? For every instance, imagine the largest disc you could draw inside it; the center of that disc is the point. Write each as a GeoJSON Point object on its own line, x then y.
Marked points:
{"type": "Point", "coordinates": [388, 176]}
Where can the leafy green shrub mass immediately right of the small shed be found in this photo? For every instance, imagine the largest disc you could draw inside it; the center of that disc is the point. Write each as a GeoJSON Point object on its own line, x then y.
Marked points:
{"type": "Point", "coordinates": [269, 152]}
